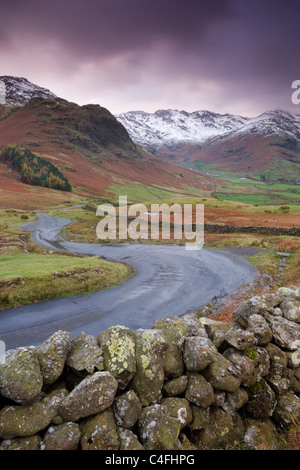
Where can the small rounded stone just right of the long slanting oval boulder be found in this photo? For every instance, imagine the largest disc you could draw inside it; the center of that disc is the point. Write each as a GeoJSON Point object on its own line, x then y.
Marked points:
{"type": "Point", "coordinates": [127, 409]}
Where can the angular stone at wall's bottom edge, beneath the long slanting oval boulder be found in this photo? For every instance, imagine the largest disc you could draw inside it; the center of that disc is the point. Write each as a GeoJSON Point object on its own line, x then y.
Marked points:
{"type": "Point", "coordinates": [100, 432]}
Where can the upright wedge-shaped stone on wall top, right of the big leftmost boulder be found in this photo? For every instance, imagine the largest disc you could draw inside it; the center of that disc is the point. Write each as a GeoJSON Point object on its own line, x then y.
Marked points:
{"type": "Point", "coordinates": [52, 355]}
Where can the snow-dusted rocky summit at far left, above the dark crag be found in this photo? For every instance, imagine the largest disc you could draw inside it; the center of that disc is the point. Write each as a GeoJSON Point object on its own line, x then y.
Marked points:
{"type": "Point", "coordinates": [17, 91]}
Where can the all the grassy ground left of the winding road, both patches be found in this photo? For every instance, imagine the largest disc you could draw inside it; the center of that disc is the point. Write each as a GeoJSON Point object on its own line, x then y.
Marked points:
{"type": "Point", "coordinates": [29, 273]}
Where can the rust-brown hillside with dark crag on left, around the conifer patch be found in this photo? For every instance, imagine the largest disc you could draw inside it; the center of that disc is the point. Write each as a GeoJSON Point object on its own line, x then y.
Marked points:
{"type": "Point", "coordinates": [91, 148]}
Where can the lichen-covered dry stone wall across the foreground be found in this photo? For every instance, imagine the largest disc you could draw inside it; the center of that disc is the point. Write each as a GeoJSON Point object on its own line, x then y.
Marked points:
{"type": "Point", "coordinates": [188, 383]}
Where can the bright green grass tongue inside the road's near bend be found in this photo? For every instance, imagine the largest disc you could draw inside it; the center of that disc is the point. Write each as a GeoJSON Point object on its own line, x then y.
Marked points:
{"type": "Point", "coordinates": [26, 279]}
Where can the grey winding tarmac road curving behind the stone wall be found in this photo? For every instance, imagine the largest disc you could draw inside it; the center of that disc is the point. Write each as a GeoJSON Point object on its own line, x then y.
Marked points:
{"type": "Point", "coordinates": [169, 280]}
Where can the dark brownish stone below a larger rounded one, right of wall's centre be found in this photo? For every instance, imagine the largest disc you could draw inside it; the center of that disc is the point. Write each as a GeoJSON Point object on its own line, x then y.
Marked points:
{"type": "Point", "coordinates": [199, 391]}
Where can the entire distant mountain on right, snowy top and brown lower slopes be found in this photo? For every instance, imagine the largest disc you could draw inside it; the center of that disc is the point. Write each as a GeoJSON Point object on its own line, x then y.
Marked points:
{"type": "Point", "coordinates": [266, 147]}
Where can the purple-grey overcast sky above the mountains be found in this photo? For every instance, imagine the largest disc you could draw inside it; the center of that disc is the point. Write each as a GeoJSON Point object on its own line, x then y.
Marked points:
{"type": "Point", "coordinates": [235, 56]}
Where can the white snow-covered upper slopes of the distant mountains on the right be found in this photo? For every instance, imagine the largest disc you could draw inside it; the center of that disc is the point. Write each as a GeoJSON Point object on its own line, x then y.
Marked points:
{"type": "Point", "coordinates": [169, 127]}
